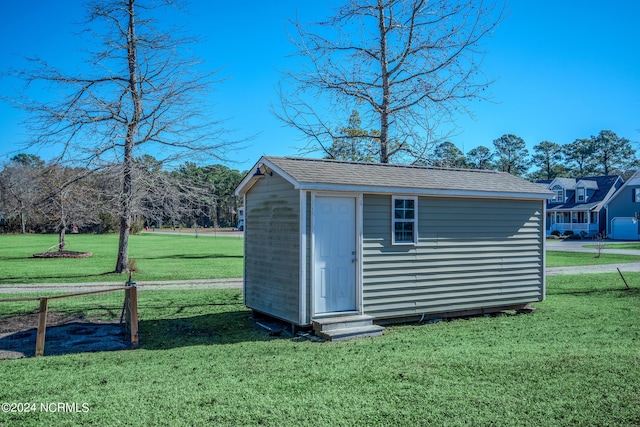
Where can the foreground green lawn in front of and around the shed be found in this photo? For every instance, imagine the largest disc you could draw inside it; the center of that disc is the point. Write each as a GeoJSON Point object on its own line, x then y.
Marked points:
{"type": "Point", "coordinates": [574, 362]}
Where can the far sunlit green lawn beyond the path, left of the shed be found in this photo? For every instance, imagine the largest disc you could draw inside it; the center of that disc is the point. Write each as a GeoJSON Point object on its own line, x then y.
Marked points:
{"type": "Point", "coordinates": [159, 257]}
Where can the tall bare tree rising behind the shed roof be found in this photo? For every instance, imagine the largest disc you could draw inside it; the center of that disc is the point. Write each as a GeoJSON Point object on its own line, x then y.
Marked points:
{"type": "Point", "coordinates": [407, 65]}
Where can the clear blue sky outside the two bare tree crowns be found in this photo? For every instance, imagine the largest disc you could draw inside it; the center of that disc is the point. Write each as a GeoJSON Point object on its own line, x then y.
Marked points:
{"type": "Point", "coordinates": [563, 69]}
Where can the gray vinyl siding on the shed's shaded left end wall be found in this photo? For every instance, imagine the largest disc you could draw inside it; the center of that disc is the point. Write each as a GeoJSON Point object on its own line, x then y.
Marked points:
{"type": "Point", "coordinates": [272, 248]}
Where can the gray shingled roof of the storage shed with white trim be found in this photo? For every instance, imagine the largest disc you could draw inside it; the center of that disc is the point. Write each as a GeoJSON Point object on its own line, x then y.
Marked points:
{"type": "Point", "coordinates": [333, 175]}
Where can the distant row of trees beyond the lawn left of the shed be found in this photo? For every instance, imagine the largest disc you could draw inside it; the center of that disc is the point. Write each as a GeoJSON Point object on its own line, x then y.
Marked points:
{"type": "Point", "coordinates": [47, 197]}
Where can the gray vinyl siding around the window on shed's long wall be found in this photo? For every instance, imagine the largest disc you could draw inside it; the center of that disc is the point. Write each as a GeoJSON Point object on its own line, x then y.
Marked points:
{"type": "Point", "coordinates": [471, 254]}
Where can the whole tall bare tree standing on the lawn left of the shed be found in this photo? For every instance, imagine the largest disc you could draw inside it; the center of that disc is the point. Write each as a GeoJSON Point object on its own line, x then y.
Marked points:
{"type": "Point", "coordinates": [138, 93]}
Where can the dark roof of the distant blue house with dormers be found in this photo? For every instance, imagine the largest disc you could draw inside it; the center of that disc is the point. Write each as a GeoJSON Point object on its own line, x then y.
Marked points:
{"type": "Point", "coordinates": [603, 188]}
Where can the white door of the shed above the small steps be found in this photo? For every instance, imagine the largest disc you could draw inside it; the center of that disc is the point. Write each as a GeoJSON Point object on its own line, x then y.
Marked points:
{"type": "Point", "coordinates": [334, 253]}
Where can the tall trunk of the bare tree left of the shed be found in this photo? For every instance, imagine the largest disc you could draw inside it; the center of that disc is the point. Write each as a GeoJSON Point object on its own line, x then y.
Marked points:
{"type": "Point", "coordinates": [122, 264]}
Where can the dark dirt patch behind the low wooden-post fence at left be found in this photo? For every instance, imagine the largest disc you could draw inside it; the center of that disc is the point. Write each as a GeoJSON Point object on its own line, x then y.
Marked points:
{"type": "Point", "coordinates": [64, 335]}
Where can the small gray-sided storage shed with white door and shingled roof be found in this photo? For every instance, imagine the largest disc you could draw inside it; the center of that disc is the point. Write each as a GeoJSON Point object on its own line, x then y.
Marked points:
{"type": "Point", "coordinates": [331, 239]}
